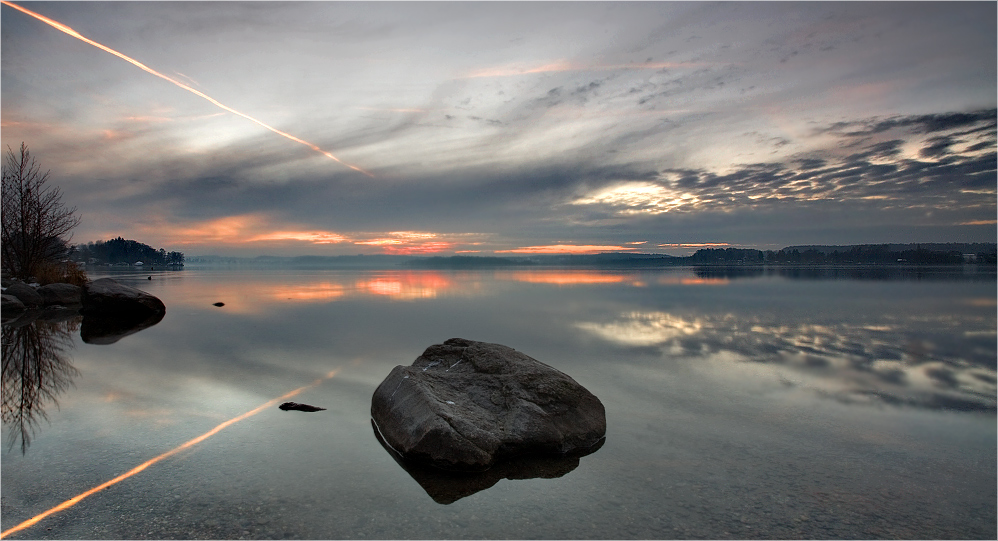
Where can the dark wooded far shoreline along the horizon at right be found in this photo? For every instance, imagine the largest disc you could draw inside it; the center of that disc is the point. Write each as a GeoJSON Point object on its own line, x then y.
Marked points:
{"type": "Point", "coordinates": [866, 254]}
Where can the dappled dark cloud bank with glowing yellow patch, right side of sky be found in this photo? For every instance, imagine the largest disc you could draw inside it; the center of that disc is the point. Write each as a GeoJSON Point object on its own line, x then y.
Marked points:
{"type": "Point", "coordinates": [874, 172]}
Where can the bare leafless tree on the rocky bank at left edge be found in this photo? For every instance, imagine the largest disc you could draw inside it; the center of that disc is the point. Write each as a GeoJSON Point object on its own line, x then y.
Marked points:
{"type": "Point", "coordinates": [36, 224]}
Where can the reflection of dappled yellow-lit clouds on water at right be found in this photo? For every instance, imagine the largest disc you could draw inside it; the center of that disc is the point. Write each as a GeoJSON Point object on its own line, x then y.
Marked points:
{"type": "Point", "coordinates": [900, 361]}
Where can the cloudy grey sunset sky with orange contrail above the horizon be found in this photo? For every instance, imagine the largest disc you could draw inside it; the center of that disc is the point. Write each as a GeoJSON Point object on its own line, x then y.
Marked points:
{"type": "Point", "coordinates": [471, 128]}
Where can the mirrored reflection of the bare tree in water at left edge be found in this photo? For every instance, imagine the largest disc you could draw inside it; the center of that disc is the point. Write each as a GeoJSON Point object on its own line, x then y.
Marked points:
{"type": "Point", "coordinates": [36, 370]}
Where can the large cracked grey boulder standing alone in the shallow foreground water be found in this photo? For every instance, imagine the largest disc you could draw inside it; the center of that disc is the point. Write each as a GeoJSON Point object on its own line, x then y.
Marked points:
{"type": "Point", "coordinates": [463, 405]}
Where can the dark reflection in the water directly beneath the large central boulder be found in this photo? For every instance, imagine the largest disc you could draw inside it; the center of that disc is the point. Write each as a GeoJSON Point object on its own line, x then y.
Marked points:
{"type": "Point", "coordinates": [447, 487]}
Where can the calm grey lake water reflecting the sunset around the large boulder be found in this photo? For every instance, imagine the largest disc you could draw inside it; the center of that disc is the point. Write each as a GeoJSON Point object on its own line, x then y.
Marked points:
{"type": "Point", "coordinates": [739, 404]}
